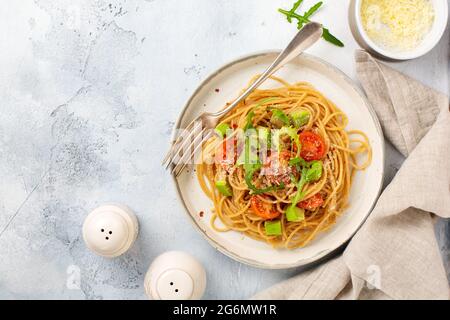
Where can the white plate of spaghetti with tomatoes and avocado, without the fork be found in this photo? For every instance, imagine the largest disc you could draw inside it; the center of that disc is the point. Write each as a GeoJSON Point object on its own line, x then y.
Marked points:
{"type": "Point", "coordinates": [292, 172]}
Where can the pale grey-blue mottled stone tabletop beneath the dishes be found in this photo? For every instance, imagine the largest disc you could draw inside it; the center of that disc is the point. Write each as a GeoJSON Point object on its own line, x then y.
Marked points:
{"type": "Point", "coordinates": [89, 92]}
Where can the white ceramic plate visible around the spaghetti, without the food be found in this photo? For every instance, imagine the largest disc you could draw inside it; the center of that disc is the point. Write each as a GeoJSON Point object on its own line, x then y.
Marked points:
{"type": "Point", "coordinates": [230, 79]}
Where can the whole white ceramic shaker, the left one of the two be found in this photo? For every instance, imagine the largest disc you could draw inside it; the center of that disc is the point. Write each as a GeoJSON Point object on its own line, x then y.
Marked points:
{"type": "Point", "coordinates": [110, 230]}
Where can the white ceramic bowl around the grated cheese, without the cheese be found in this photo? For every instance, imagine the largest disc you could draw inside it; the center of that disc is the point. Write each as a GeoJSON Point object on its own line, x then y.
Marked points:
{"type": "Point", "coordinates": [430, 40]}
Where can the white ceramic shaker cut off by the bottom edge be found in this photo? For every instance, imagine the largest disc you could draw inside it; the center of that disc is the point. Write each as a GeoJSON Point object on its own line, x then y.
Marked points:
{"type": "Point", "coordinates": [175, 275]}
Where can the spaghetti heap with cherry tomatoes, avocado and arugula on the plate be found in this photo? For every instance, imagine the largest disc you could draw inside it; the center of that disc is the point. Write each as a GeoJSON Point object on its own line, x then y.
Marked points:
{"type": "Point", "coordinates": [290, 178]}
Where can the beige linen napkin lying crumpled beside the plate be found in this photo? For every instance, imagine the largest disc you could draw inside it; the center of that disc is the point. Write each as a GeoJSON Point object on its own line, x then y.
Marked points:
{"type": "Point", "coordinates": [395, 254]}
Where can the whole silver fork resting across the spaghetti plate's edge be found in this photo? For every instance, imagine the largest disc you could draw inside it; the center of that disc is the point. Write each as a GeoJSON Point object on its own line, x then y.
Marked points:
{"type": "Point", "coordinates": [198, 129]}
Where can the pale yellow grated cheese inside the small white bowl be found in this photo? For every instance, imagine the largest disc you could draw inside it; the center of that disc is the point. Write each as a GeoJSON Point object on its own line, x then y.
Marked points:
{"type": "Point", "coordinates": [398, 25]}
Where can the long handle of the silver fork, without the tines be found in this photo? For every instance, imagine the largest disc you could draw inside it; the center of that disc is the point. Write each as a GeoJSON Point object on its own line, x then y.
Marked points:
{"type": "Point", "coordinates": [306, 37]}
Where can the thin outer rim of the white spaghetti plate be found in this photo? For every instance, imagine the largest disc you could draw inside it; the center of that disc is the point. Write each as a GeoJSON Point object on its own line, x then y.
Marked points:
{"type": "Point", "coordinates": [320, 254]}
